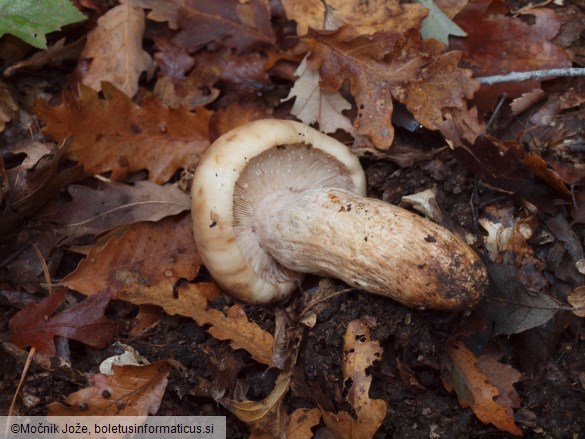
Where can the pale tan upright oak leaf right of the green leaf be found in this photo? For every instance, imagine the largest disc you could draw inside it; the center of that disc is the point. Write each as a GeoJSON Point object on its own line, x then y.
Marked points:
{"type": "Point", "coordinates": [115, 50]}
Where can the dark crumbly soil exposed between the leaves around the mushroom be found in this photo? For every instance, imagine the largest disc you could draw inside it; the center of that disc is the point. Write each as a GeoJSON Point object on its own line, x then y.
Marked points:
{"type": "Point", "coordinates": [551, 358]}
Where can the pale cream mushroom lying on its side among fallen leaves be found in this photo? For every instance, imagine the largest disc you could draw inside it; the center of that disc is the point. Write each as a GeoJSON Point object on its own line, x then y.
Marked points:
{"type": "Point", "coordinates": [273, 200]}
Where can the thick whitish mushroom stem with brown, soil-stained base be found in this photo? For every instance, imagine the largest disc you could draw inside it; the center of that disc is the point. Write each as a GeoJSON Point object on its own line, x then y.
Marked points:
{"type": "Point", "coordinates": [370, 245]}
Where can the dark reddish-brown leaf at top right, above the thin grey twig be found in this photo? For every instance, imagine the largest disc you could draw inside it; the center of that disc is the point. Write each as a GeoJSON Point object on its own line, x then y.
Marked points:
{"type": "Point", "coordinates": [499, 44]}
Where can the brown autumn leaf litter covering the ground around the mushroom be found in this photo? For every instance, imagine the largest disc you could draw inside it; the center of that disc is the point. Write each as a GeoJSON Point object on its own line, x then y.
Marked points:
{"type": "Point", "coordinates": [95, 172]}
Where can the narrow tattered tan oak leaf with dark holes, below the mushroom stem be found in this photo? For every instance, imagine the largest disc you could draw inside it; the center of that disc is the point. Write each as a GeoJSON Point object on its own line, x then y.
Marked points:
{"type": "Point", "coordinates": [360, 352]}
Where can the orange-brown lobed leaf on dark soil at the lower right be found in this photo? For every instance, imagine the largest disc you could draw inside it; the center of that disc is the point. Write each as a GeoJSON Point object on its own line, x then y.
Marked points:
{"type": "Point", "coordinates": [488, 392]}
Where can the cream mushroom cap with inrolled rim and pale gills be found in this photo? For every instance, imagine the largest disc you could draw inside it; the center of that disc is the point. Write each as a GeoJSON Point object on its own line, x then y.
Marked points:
{"type": "Point", "coordinates": [249, 163]}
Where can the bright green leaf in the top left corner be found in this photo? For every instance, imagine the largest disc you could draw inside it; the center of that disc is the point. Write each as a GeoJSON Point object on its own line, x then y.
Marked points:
{"type": "Point", "coordinates": [31, 20]}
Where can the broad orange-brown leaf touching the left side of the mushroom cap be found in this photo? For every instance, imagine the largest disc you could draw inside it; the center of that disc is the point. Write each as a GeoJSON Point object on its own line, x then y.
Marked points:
{"type": "Point", "coordinates": [147, 256]}
